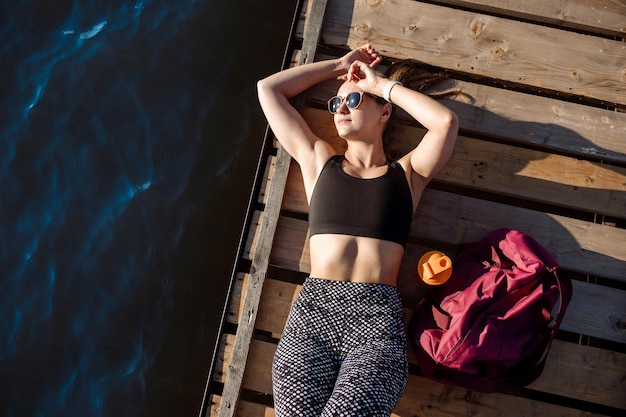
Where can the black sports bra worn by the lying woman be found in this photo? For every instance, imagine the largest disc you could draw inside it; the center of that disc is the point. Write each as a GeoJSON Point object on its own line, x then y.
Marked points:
{"type": "Point", "coordinates": [380, 208]}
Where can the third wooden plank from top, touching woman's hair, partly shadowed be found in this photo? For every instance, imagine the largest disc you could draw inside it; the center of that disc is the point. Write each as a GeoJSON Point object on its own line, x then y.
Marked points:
{"type": "Point", "coordinates": [565, 127]}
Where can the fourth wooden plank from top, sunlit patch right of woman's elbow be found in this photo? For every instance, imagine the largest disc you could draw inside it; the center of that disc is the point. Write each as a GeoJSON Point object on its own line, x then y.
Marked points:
{"type": "Point", "coordinates": [512, 171]}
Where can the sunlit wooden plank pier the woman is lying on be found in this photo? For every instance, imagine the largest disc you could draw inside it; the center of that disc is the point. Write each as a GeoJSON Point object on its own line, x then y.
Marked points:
{"type": "Point", "coordinates": [542, 149]}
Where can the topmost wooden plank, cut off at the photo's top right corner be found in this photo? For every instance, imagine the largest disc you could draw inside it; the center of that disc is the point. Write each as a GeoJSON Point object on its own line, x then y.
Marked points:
{"type": "Point", "coordinates": [605, 17]}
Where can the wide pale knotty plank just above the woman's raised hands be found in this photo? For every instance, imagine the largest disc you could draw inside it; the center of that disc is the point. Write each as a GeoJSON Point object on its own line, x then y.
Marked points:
{"type": "Point", "coordinates": [514, 51]}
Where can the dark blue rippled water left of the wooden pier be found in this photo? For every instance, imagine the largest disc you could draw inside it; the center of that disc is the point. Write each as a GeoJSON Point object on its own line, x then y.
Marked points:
{"type": "Point", "coordinates": [129, 134]}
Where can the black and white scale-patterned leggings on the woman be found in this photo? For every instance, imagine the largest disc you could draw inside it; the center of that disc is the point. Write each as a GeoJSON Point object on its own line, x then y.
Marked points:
{"type": "Point", "coordinates": [343, 352]}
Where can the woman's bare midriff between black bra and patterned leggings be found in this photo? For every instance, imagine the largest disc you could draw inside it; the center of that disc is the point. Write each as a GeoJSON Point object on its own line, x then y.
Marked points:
{"type": "Point", "coordinates": [355, 259]}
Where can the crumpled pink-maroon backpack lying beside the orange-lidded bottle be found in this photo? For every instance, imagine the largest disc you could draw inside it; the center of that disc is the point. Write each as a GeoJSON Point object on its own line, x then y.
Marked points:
{"type": "Point", "coordinates": [487, 328]}
